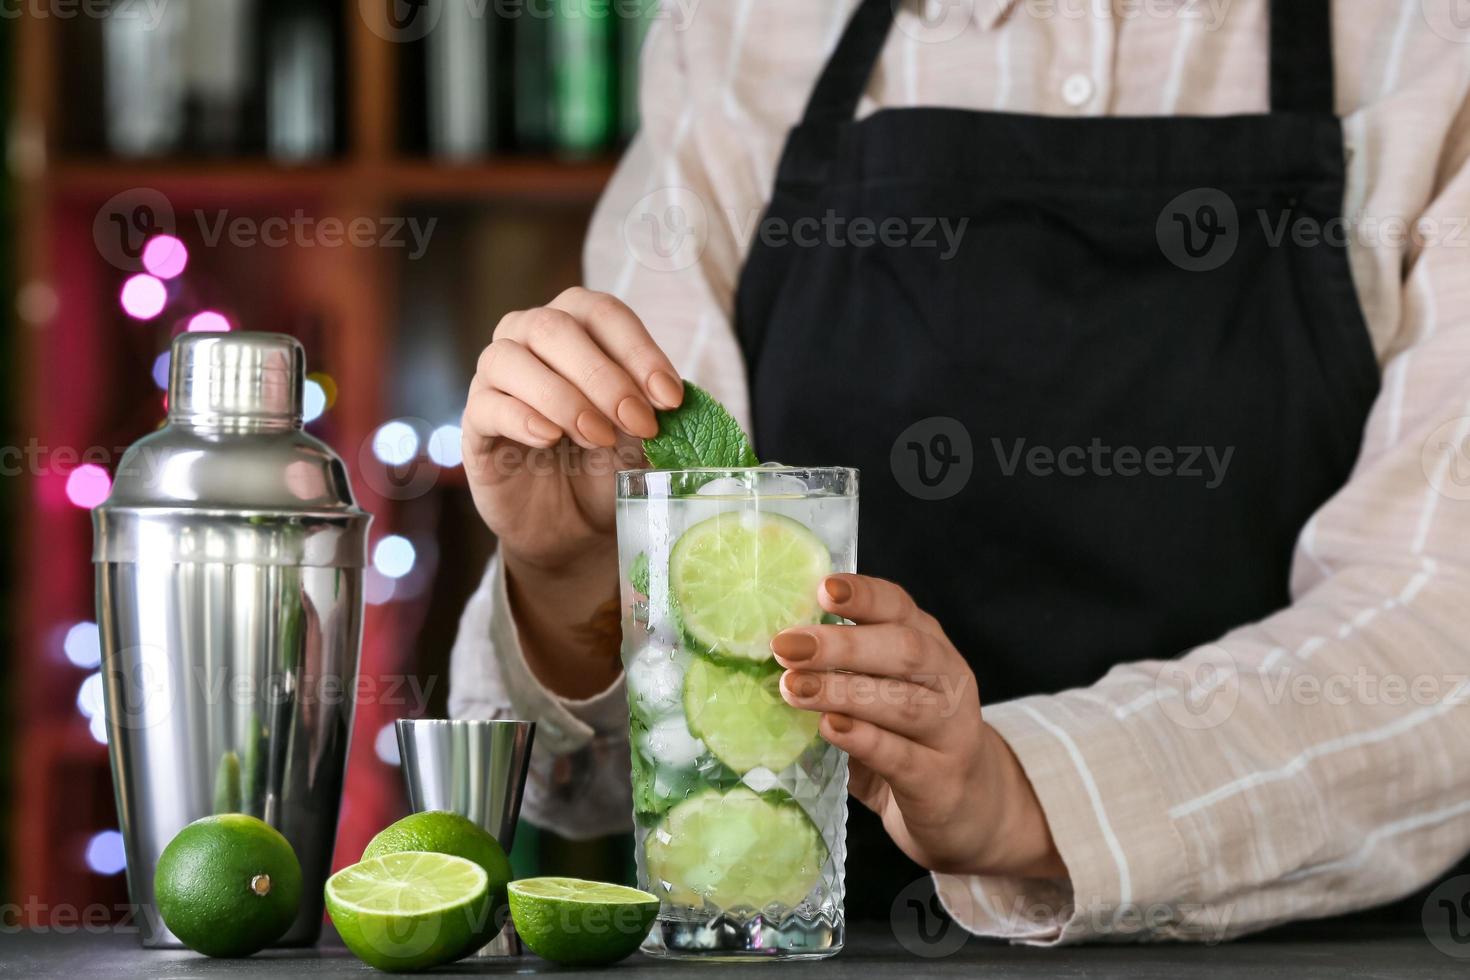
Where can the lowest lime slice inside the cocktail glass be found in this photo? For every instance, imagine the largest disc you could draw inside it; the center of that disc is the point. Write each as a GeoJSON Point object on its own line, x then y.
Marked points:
{"type": "Point", "coordinates": [736, 850]}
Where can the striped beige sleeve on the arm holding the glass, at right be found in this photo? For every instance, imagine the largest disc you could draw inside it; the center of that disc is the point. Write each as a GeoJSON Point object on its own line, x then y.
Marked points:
{"type": "Point", "coordinates": [1308, 765]}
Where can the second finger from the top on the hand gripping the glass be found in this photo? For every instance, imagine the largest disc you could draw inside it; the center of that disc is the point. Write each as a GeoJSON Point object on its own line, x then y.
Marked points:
{"type": "Point", "coordinates": [883, 650]}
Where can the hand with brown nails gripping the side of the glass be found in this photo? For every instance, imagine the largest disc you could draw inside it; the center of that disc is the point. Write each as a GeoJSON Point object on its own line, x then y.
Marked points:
{"type": "Point", "coordinates": [903, 703]}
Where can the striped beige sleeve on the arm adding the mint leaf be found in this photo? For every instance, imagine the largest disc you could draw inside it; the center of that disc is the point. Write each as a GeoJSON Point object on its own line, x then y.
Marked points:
{"type": "Point", "coordinates": [658, 242]}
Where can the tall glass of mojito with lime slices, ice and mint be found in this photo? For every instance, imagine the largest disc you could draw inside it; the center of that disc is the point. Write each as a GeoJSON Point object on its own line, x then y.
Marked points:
{"type": "Point", "coordinates": [740, 806]}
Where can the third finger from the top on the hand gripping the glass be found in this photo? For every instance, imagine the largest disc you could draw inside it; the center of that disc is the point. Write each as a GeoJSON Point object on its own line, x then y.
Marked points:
{"type": "Point", "coordinates": [896, 706]}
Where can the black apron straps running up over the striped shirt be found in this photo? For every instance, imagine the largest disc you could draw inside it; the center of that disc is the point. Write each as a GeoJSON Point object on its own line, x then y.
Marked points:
{"type": "Point", "coordinates": [1300, 39]}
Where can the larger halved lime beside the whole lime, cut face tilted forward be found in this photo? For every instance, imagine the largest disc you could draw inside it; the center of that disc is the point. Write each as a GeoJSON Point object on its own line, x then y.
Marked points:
{"type": "Point", "coordinates": [411, 910]}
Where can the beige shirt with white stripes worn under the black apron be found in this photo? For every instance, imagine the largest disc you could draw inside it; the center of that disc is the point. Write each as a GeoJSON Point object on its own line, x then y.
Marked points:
{"type": "Point", "coordinates": [1300, 766]}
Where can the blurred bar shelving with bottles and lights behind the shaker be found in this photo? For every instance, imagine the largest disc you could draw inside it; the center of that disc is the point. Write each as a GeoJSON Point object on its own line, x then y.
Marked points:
{"type": "Point", "coordinates": [492, 137]}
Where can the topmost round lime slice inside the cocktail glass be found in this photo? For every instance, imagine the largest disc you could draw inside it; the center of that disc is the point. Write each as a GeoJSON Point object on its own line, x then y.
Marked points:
{"type": "Point", "coordinates": [742, 578]}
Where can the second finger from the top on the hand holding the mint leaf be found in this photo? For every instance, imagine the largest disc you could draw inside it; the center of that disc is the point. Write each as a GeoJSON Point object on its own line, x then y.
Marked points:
{"type": "Point", "coordinates": [564, 346]}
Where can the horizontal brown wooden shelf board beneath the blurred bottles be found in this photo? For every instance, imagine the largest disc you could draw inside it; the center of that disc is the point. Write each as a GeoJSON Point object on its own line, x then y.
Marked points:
{"type": "Point", "coordinates": [506, 179]}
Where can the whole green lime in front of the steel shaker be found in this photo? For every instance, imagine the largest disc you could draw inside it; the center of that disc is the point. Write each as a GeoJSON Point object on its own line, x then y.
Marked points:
{"type": "Point", "coordinates": [229, 885]}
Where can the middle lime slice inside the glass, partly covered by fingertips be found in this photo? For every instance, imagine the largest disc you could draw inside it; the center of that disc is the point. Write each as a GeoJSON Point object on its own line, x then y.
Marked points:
{"type": "Point", "coordinates": [739, 713]}
